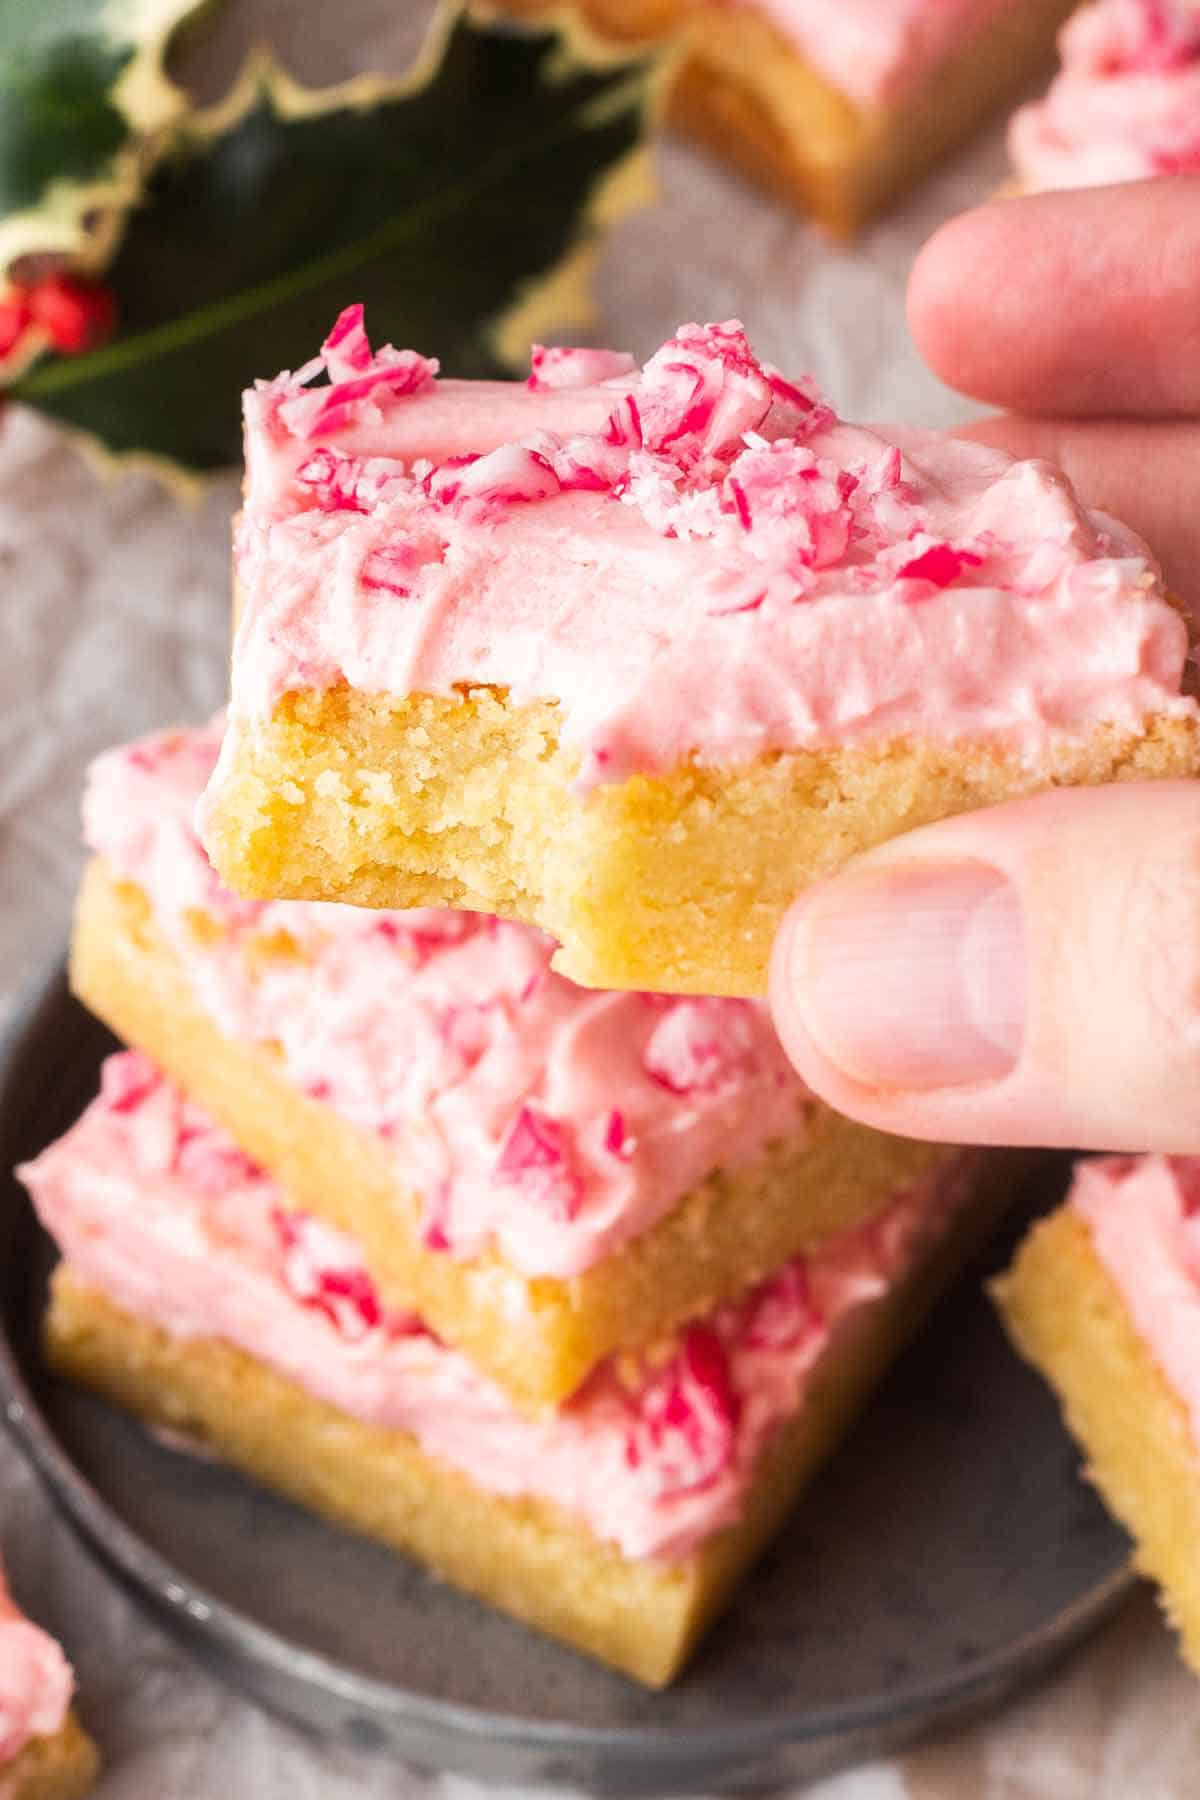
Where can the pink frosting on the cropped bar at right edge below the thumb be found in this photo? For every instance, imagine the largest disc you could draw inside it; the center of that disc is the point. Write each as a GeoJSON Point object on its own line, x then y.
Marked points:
{"type": "Point", "coordinates": [1143, 1216]}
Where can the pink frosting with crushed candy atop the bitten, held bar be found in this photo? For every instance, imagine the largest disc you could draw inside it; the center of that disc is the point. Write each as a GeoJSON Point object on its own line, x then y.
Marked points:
{"type": "Point", "coordinates": [697, 561]}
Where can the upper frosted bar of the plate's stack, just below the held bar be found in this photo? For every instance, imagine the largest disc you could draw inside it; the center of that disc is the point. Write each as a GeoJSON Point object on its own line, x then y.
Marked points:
{"type": "Point", "coordinates": [544, 1173]}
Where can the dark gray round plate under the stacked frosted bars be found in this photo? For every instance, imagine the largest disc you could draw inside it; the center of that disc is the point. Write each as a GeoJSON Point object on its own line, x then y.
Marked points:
{"type": "Point", "coordinates": [945, 1556]}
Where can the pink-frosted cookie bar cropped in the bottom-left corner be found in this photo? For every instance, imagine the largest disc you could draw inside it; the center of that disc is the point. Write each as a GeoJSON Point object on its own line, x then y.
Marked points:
{"type": "Point", "coordinates": [44, 1750]}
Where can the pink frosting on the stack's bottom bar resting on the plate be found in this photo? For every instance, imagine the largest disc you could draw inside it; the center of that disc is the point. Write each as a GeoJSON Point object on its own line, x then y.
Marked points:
{"type": "Point", "coordinates": [157, 1209]}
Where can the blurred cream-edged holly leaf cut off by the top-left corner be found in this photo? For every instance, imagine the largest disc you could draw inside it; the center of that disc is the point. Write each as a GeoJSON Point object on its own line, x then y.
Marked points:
{"type": "Point", "coordinates": [82, 96]}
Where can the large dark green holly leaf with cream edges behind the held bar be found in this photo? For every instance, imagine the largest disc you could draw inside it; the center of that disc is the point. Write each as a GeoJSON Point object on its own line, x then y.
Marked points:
{"type": "Point", "coordinates": [460, 204]}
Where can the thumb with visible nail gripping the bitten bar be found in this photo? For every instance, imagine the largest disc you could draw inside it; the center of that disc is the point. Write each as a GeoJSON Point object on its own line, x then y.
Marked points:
{"type": "Point", "coordinates": [1028, 975]}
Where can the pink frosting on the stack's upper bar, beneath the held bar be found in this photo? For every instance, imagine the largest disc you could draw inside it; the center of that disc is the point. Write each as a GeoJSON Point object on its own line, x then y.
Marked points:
{"type": "Point", "coordinates": [550, 1120]}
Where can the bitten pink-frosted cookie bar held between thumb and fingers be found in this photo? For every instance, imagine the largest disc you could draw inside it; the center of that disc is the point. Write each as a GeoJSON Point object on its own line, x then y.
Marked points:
{"type": "Point", "coordinates": [652, 654]}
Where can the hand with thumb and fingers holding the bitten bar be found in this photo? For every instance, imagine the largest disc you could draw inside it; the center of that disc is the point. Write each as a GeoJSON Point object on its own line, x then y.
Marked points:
{"type": "Point", "coordinates": [1032, 973]}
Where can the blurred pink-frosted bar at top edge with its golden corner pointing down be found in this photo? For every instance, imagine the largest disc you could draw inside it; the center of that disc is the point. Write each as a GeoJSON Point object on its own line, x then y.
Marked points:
{"type": "Point", "coordinates": [841, 107]}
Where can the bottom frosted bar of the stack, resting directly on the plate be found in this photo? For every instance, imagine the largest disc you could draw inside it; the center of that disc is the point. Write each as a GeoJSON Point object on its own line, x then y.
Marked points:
{"type": "Point", "coordinates": [197, 1295]}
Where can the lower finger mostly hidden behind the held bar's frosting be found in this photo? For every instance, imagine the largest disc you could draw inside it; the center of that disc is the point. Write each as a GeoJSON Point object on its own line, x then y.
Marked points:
{"type": "Point", "coordinates": [1143, 472]}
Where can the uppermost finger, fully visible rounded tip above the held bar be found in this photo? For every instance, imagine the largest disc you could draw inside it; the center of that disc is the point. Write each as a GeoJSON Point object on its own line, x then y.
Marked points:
{"type": "Point", "coordinates": [1070, 305]}
